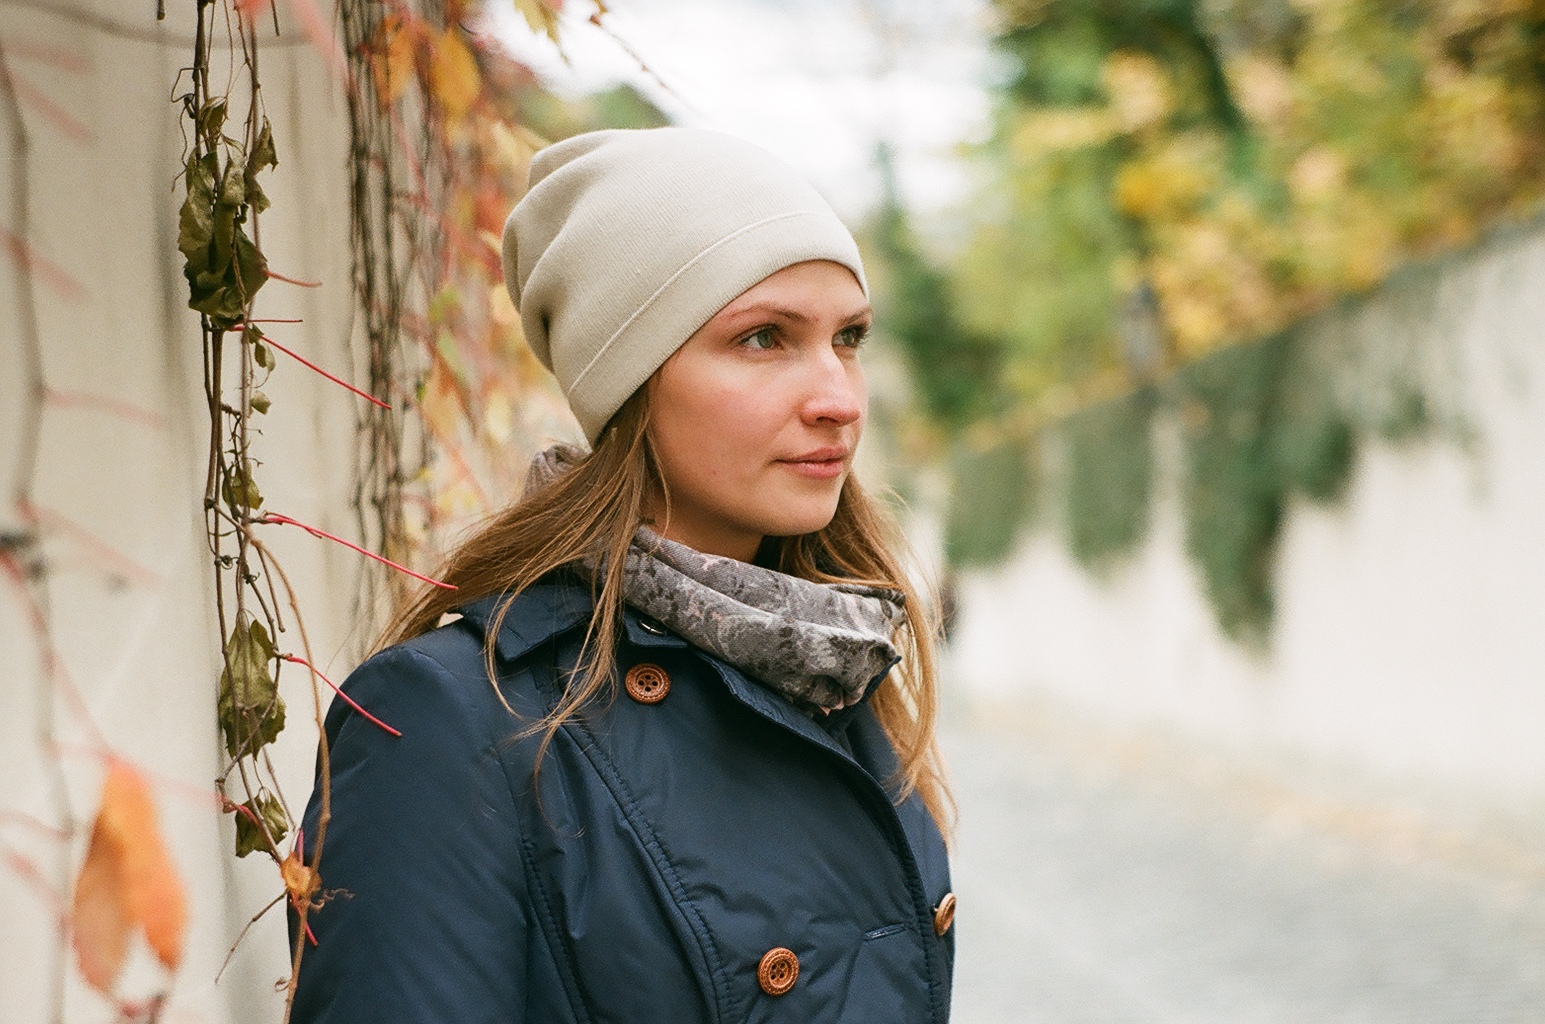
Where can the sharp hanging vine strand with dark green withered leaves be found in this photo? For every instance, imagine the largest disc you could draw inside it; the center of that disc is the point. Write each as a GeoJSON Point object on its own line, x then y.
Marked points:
{"type": "Point", "coordinates": [231, 146]}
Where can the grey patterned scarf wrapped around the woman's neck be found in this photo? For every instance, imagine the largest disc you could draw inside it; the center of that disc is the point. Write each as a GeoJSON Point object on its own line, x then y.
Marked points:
{"type": "Point", "coordinates": [818, 645]}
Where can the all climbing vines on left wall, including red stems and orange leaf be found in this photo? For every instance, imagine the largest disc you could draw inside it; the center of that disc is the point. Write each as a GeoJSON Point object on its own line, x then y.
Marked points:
{"type": "Point", "coordinates": [449, 401]}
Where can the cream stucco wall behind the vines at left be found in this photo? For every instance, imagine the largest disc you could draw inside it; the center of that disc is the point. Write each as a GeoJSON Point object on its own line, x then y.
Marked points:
{"type": "Point", "coordinates": [138, 639]}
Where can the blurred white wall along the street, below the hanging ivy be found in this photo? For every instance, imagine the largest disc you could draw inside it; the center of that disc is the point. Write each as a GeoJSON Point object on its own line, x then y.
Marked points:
{"type": "Point", "coordinates": [1411, 629]}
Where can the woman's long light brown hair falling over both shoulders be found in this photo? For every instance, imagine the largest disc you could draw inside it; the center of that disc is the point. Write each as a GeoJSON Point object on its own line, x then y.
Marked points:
{"type": "Point", "coordinates": [594, 510]}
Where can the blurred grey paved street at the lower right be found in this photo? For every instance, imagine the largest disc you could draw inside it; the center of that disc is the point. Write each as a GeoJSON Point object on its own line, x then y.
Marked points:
{"type": "Point", "coordinates": [1136, 889]}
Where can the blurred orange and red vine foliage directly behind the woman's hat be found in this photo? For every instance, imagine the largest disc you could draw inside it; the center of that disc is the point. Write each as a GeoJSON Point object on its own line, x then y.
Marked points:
{"type": "Point", "coordinates": [440, 149]}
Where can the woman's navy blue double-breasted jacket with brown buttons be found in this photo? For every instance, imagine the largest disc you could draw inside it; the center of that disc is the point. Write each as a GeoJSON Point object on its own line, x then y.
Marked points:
{"type": "Point", "coordinates": [643, 875]}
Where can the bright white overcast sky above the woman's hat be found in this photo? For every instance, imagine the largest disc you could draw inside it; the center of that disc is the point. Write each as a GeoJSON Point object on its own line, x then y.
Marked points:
{"type": "Point", "coordinates": [820, 83]}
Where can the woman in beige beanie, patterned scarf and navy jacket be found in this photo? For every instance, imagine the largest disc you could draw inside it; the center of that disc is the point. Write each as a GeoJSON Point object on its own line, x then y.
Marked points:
{"type": "Point", "coordinates": [699, 788]}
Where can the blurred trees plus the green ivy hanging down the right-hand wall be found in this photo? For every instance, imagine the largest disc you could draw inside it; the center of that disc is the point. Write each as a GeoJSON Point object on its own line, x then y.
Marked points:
{"type": "Point", "coordinates": [1170, 185]}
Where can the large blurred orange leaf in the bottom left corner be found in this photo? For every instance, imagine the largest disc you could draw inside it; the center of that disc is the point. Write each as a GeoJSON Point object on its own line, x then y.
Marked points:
{"type": "Point", "coordinates": [127, 880]}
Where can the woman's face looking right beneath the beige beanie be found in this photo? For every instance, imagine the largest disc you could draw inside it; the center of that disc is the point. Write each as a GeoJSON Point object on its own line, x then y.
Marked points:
{"type": "Point", "coordinates": [756, 418]}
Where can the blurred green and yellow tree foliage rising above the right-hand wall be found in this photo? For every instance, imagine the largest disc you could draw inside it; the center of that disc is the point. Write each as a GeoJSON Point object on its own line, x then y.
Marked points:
{"type": "Point", "coordinates": [1246, 160]}
